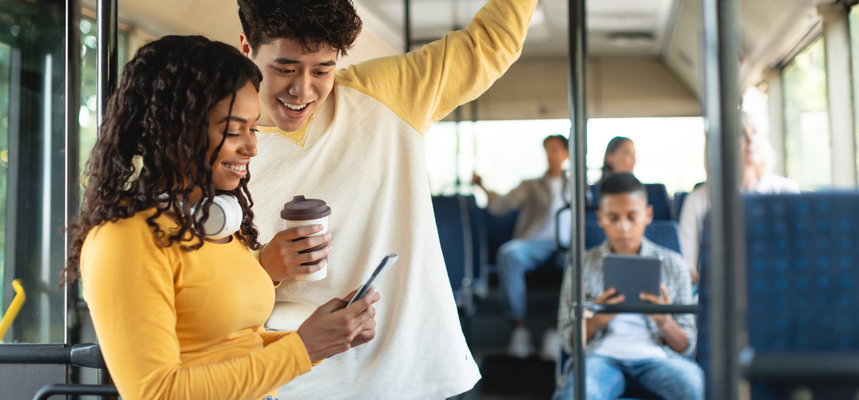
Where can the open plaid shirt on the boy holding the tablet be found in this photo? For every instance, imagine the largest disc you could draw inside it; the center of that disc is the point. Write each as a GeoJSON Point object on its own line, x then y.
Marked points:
{"type": "Point", "coordinates": [675, 276]}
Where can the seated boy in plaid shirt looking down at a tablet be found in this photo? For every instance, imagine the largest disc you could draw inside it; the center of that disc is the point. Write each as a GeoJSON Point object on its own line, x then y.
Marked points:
{"type": "Point", "coordinates": [647, 352]}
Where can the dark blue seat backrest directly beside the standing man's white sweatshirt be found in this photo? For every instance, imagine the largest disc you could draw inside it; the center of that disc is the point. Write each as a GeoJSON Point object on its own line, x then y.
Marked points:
{"type": "Point", "coordinates": [454, 233]}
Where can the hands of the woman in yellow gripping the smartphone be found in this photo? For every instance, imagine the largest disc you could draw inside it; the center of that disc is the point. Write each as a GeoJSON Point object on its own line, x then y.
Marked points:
{"type": "Point", "coordinates": [334, 328]}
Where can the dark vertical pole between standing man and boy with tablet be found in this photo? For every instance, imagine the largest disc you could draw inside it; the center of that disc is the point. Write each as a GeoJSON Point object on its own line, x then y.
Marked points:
{"type": "Point", "coordinates": [578, 136]}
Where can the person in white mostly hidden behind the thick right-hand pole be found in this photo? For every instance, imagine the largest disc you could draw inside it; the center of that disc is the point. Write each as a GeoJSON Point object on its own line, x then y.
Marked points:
{"type": "Point", "coordinates": [757, 177]}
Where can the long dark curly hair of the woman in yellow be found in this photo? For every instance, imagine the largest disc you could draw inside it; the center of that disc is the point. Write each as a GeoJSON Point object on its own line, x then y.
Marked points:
{"type": "Point", "coordinates": [160, 113]}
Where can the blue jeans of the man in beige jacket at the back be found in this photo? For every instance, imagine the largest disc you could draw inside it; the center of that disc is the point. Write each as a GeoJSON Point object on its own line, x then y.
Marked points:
{"type": "Point", "coordinates": [515, 258]}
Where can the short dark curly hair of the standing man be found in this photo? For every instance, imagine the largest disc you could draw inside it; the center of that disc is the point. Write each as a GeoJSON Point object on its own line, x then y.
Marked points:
{"type": "Point", "coordinates": [313, 23]}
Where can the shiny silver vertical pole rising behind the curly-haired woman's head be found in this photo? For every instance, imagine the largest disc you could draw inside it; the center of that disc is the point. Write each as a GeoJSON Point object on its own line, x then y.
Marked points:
{"type": "Point", "coordinates": [106, 58]}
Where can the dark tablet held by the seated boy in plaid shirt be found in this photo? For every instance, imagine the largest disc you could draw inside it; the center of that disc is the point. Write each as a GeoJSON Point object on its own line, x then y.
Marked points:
{"type": "Point", "coordinates": [631, 275]}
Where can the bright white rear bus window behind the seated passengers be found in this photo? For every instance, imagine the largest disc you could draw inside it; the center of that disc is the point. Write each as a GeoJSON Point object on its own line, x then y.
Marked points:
{"type": "Point", "coordinates": [504, 153]}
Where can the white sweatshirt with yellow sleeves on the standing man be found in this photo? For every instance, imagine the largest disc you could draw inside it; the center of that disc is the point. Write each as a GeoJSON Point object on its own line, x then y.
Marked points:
{"type": "Point", "coordinates": [363, 153]}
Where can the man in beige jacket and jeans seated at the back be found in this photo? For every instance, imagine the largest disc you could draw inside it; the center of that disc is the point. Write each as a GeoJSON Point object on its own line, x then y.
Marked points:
{"type": "Point", "coordinates": [538, 201]}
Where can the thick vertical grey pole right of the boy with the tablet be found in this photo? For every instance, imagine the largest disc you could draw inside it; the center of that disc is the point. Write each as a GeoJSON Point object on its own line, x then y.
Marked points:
{"type": "Point", "coordinates": [727, 272]}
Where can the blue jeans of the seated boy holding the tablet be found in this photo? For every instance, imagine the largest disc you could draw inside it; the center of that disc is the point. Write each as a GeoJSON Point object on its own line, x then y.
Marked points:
{"type": "Point", "coordinates": [671, 378]}
